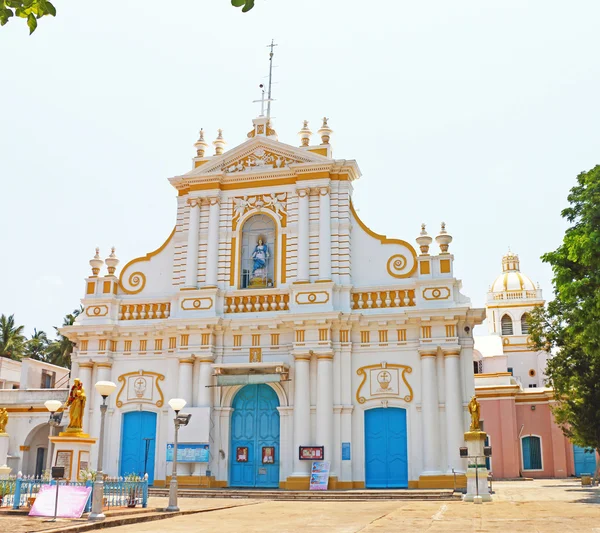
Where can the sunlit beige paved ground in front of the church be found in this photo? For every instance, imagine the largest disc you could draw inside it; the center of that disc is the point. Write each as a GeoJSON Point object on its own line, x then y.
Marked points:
{"type": "Point", "coordinates": [544, 506]}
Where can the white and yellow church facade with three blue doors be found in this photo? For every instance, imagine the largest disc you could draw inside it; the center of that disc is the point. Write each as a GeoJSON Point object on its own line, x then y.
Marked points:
{"type": "Point", "coordinates": [291, 329]}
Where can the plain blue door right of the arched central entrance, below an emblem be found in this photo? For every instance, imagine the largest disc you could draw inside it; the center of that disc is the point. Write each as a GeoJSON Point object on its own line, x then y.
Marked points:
{"type": "Point", "coordinates": [386, 463]}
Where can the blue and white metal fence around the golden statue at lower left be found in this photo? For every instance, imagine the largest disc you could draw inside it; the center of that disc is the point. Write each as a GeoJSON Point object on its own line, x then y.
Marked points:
{"type": "Point", "coordinates": [21, 491]}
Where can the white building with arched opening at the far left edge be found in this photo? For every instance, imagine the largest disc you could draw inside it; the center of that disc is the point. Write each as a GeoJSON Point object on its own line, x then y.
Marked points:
{"type": "Point", "coordinates": [24, 387]}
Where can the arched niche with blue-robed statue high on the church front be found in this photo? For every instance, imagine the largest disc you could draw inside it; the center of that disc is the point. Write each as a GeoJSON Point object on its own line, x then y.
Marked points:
{"type": "Point", "coordinates": [258, 253]}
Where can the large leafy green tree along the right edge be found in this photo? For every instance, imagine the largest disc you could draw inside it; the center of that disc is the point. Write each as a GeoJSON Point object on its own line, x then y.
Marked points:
{"type": "Point", "coordinates": [569, 326]}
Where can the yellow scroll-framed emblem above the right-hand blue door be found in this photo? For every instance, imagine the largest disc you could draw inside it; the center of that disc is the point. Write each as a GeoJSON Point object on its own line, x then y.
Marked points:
{"type": "Point", "coordinates": [384, 380]}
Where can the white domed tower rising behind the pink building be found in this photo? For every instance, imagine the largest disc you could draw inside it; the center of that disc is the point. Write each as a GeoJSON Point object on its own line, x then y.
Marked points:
{"type": "Point", "coordinates": [510, 299]}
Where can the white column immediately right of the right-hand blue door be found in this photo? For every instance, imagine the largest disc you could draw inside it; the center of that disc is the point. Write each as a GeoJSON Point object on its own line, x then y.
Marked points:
{"type": "Point", "coordinates": [430, 412]}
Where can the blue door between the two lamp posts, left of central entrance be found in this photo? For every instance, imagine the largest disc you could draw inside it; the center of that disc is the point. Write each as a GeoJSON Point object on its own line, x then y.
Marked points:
{"type": "Point", "coordinates": [138, 444]}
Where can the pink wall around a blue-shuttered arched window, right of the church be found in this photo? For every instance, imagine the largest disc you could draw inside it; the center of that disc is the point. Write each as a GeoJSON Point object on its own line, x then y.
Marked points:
{"type": "Point", "coordinates": [503, 418]}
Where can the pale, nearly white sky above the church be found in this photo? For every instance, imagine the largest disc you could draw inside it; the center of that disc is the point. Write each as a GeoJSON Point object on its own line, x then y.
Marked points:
{"type": "Point", "coordinates": [478, 114]}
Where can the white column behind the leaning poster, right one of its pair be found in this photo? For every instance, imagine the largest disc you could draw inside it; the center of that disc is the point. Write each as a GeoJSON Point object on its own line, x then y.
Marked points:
{"type": "Point", "coordinates": [324, 429]}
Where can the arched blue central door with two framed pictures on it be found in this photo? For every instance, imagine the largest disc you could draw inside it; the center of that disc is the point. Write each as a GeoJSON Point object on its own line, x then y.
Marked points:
{"type": "Point", "coordinates": [254, 435]}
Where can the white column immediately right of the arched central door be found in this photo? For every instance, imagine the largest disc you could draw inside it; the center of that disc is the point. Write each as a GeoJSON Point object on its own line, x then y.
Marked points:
{"type": "Point", "coordinates": [301, 411]}
